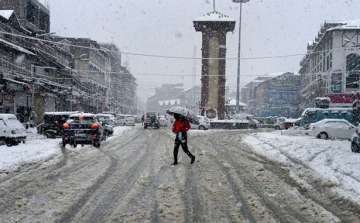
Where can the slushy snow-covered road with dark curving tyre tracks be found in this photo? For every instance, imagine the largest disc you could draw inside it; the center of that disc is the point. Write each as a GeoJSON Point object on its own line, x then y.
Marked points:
{"type": "Point", "coordinates": [130, 180]}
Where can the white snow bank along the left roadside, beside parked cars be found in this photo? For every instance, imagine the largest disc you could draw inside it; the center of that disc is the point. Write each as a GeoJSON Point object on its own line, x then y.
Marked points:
{"type": "Point", "coordinates": [32, 151]}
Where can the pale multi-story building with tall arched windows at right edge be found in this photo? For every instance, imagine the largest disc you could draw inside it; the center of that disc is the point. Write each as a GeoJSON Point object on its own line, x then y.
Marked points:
{"type": "Point", "coordinates": [331, 65]}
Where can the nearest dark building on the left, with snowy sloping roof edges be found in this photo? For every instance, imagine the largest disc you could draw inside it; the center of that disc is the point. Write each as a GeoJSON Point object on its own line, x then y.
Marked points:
{"type": "Point", "coordinates": [33, 73]}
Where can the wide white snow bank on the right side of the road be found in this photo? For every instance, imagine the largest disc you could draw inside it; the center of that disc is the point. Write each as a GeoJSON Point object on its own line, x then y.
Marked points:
{"type": "Point", "coordinates": [332, 160]}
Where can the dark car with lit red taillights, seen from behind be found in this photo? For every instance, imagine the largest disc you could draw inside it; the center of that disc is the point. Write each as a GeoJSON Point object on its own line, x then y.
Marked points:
{"type": "Point", "coordinates": [83, 129]}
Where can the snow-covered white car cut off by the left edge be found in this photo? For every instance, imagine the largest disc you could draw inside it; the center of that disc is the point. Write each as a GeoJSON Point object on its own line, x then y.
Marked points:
{"type": "Point", "coordinates": [12, 132]}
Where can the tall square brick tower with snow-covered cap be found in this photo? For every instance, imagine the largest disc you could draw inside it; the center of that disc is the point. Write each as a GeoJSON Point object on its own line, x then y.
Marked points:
{"type": "Point", "coordinates": [214, 27]}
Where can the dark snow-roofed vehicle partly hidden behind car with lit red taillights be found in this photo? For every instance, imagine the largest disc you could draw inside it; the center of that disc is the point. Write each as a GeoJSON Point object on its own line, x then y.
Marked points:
{"type": "Point", "coordinates": [52, 126]}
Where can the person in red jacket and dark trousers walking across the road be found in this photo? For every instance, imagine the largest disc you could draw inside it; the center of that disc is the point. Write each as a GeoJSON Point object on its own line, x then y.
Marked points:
{"type": "Point", "coordinates": [180, 128]}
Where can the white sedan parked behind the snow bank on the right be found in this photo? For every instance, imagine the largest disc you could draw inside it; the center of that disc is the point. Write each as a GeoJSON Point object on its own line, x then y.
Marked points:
{"type": "Point", "coordinates": [332, 128]}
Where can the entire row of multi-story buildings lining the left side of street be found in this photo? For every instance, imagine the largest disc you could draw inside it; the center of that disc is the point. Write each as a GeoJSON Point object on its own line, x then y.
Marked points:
{"type": "Point", "coordinates": [40, 76]}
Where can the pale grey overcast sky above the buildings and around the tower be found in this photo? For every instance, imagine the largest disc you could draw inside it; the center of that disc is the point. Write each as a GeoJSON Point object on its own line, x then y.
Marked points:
{"type": "Point", "coordinates": [164, 27]}
